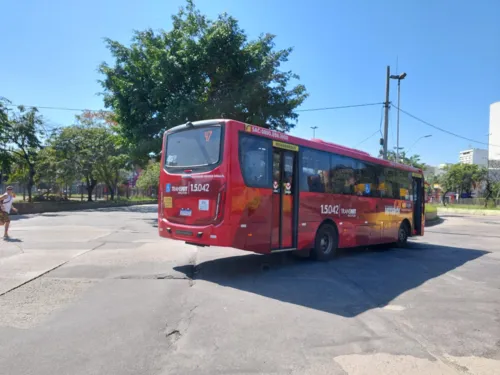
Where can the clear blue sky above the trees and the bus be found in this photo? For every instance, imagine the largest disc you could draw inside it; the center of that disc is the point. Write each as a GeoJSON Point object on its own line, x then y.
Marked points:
{"type": "Point", "coordinates": [449, 49]}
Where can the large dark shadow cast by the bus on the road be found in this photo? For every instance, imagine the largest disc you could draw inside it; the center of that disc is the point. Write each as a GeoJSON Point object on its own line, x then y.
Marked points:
{"type": "Point", "coordinates": [357, 281]}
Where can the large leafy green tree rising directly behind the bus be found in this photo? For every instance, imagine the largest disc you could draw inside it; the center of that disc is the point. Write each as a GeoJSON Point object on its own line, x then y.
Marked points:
{"type": "Point", "coordinates": [199, 69]}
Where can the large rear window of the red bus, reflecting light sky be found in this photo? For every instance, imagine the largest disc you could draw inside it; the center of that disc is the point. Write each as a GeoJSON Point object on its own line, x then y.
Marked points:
{"type": "Point", "coordinates": [193, 147]}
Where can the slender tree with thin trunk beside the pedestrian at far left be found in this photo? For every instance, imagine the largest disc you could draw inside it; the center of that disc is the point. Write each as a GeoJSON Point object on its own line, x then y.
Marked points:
{"type": "Point", "coordinates": [23, 132]}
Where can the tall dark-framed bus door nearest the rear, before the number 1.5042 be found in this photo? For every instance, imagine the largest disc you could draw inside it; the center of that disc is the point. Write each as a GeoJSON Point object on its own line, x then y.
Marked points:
{"type": "Point", "coordinates": [285, 196]}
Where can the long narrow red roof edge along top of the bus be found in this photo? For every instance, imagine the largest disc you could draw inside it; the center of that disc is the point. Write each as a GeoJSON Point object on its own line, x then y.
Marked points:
{"type": "Point", "coordinates": [313, 143]}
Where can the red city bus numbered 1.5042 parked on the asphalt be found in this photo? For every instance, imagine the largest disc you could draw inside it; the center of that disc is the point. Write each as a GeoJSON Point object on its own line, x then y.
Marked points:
{"type": "Point", "coordinates": [226, 183]}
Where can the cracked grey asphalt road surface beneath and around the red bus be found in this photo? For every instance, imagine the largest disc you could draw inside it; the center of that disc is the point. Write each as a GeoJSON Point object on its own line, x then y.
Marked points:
{"type": "Point", "coordinates": [98, 292]}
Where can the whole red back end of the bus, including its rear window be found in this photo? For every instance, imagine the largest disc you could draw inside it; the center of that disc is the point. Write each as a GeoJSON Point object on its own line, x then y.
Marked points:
{"type": "Point", "coordinates": [193, 183]}
